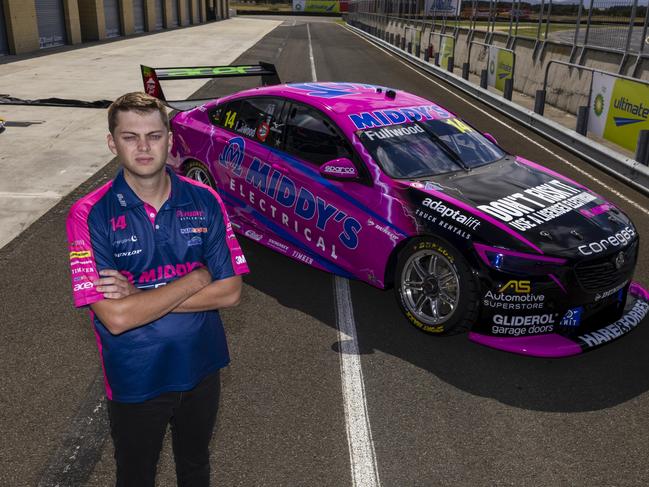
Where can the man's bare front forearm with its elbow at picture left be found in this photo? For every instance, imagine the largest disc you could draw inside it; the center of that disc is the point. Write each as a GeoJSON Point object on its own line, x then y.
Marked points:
{"type": "Point", "coordinates": [140, 308]}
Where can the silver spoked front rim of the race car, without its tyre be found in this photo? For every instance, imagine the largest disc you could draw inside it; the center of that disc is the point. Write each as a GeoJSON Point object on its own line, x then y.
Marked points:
{"type": "Point", "coordinates": [430, 287]}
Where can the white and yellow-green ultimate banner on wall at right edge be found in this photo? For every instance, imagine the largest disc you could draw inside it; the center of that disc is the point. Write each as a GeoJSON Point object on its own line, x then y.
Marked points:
{"type": "Point", "coordinates": [619, 109]}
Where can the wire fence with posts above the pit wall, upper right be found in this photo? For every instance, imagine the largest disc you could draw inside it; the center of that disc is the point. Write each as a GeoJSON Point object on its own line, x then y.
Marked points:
{"type": "Point", "coordinates": [619, 26]}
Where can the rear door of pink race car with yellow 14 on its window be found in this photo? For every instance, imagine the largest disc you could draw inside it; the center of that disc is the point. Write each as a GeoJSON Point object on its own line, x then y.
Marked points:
{"type": "Point", "coordinates": [240, 147]}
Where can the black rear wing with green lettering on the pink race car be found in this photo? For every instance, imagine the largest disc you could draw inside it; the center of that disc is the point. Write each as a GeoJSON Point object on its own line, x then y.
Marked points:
{"type": "Point", "coordinates": [151, 78]}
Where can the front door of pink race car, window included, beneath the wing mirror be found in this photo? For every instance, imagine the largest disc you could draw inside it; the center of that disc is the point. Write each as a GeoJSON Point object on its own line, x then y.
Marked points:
{"type": "Point", "coordinates": [328, 219]}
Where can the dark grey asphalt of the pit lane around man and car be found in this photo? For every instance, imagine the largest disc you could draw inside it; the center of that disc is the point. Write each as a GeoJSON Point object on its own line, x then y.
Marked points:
{"type": "Point", "coordinates": [442, 411]}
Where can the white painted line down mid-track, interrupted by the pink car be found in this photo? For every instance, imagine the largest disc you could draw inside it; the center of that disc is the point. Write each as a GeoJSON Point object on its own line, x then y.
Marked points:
{"type": "Point", "coordinates": [362, 457]}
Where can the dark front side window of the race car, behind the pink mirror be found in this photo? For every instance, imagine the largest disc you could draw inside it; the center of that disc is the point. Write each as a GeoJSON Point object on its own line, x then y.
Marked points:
{"type": "Point", "coordinates": [312, 137]}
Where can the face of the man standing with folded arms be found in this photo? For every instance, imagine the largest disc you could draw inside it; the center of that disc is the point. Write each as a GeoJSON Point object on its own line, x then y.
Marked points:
{"type": "Point", "coordinates": [141, 142]}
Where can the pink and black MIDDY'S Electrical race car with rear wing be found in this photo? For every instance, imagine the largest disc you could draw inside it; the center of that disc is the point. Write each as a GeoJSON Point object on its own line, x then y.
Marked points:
{"type": "Point", "coordinates": [392, 189]}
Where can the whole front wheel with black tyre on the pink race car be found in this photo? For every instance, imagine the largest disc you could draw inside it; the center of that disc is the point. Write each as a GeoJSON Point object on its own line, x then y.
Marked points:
{"type": "Point", "coordinates": [435, 287]}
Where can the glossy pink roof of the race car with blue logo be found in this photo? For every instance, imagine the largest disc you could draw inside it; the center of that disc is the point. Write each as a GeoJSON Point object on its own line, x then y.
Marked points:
{"type": "Point", "coordinates": [340, 100]}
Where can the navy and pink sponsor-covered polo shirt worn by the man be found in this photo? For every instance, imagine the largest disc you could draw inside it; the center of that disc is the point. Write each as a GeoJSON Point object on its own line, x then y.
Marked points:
{"type": "Point", "coordinates": [111, 228]}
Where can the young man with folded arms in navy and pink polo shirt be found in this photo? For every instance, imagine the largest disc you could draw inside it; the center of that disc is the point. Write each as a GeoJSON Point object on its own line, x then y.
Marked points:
{"type": "Point", "coordinates": [154, 256]}
